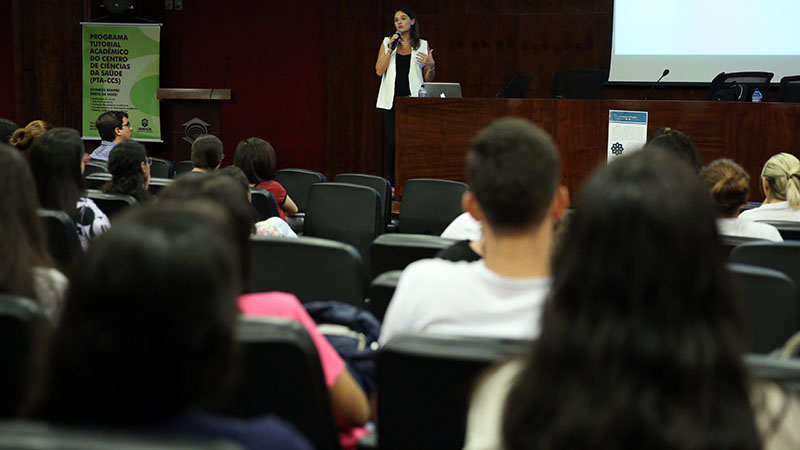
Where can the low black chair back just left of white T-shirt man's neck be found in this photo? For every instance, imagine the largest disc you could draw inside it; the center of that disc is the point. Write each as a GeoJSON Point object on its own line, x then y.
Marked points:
{"type": "Point", "coordinates": [395, 251]}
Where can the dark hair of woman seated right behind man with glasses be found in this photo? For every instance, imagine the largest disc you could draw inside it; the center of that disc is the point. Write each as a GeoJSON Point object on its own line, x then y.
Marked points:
{"type": "Point", "coordinates": [125, 164]}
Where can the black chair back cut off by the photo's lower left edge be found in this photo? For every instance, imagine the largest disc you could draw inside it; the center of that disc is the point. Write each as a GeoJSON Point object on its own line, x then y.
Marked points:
{"type": "Point", "coordinates": [21, 322]}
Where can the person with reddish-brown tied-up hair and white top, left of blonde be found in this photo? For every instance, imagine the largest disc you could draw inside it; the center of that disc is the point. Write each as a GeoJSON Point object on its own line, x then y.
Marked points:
{"type": "Point", "coordinates": [729, 185]}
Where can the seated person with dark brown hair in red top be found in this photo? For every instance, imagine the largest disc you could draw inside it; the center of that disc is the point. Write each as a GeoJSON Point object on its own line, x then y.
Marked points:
{"type": "Point", "coordinates": [257, 159]}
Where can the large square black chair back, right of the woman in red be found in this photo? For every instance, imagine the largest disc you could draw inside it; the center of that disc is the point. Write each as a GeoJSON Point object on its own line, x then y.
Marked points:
{"type": "Point", "coordinates": [345, 213]}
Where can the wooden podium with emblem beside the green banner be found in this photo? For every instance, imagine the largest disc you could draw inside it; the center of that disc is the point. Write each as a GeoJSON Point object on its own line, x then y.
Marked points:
{"type": "Point", "coordinates": [188, 113]}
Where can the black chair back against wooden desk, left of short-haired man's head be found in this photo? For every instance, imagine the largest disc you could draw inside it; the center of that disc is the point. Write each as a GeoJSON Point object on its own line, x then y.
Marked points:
{"type": "Point", "coordinates": [429, 205]}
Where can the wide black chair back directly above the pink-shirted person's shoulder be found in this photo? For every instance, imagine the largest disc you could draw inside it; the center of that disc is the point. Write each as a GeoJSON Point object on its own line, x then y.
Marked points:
{"type": "Point", "coordinates": [312, 269]}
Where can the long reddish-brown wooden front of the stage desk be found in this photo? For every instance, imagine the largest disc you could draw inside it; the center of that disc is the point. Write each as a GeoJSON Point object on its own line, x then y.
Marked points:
{"type": "Point", "coordinates": [432, 135]}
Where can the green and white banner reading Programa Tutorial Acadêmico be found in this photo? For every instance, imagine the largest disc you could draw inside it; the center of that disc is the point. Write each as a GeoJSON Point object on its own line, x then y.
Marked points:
{"type": "Point", "coordinates": [121, 73]}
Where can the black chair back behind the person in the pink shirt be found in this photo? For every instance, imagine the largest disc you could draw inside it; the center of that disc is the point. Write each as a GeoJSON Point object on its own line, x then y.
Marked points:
{"type": "Point", "coordinates": [280, 373]}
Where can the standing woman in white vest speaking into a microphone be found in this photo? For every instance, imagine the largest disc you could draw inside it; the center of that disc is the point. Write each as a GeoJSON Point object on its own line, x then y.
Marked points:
{"type": "Point", "coordinates": [399, 77]}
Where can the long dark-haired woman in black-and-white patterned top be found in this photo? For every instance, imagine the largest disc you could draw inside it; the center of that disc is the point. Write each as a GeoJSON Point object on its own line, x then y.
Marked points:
{"type": "Point", "coordinates": [56, 160]}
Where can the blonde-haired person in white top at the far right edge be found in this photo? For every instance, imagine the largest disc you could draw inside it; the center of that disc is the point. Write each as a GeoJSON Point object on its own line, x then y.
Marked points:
{"type": "Point", "coordinates": [780, 183]}
